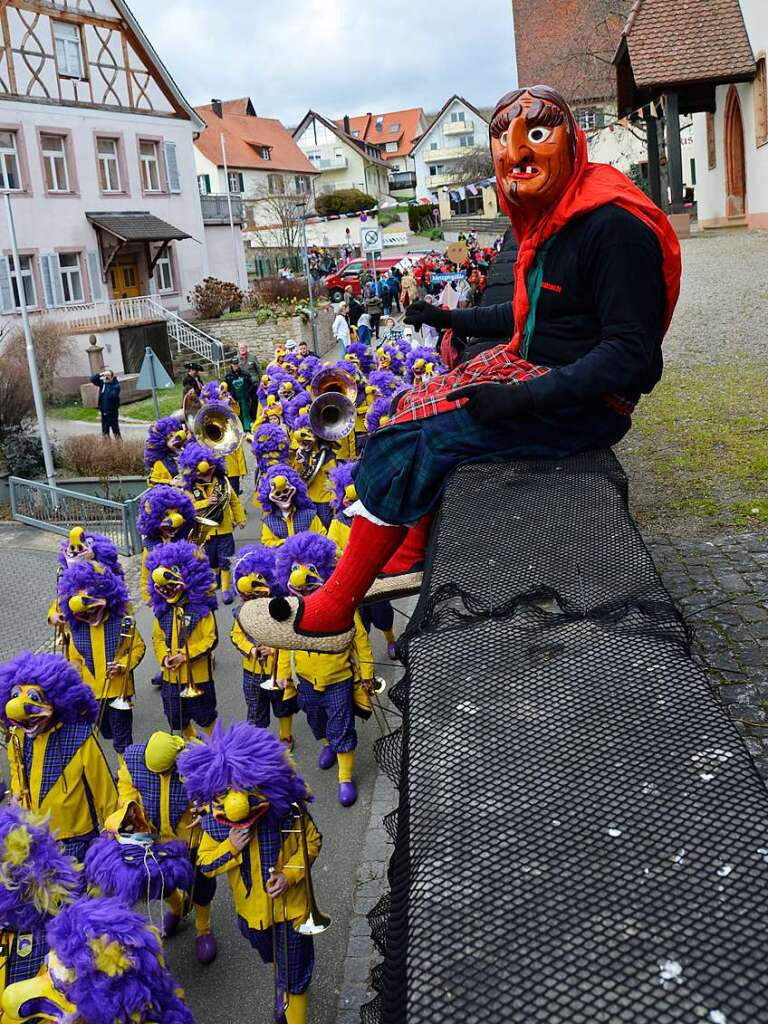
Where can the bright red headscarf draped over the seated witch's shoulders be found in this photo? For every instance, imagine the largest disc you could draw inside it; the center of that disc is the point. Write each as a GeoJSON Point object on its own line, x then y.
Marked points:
{"type": "Point", "coordinates": [591, 186]}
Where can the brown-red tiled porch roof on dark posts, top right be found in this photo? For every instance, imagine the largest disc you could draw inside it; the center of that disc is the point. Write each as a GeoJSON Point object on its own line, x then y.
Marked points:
{"type": "Point", "coordinates": [670, 41]}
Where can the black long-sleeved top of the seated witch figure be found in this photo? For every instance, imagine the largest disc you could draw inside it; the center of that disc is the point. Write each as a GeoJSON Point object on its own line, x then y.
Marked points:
{"type": "Point", "coordinates": [600, 320]}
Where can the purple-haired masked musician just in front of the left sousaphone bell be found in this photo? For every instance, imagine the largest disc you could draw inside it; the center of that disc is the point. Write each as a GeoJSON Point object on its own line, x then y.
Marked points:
{"type": "Point", "coordinates": [205, 481]}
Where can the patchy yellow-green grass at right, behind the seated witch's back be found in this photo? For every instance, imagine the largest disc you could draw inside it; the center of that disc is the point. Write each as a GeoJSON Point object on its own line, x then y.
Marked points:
{"type": "Point", "coordinates": [698, 453]}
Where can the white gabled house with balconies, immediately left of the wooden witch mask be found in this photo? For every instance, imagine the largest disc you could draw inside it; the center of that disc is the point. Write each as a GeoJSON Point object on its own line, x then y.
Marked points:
{"type": "Point", "coordinates": [458, 130]}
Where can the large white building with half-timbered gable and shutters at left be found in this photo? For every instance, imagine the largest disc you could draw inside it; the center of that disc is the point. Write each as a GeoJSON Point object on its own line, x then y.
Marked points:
{"type": "Point", "coordinates": [97, 152]}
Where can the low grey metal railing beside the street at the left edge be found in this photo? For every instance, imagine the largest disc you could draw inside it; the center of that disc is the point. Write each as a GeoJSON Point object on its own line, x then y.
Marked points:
{"type": "Point", "coordinates": [57, 510]}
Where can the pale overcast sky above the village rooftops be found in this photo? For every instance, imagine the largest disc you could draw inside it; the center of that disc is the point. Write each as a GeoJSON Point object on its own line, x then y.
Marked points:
{"type": "Point", "coordinates": [339, 57]}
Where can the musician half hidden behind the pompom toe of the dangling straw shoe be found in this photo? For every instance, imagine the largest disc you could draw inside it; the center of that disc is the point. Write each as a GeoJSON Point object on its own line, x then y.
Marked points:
{"type": "Point", "coordinates": [254, 577]}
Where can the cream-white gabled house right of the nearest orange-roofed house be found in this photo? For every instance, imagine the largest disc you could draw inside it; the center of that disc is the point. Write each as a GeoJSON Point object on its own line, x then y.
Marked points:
{"type": "Point", "coordinates": [344, 162]}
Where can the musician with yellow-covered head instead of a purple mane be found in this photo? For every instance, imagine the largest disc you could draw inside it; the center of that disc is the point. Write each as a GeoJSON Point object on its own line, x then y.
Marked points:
{"type": "Point", "coordinates": [149, 777]}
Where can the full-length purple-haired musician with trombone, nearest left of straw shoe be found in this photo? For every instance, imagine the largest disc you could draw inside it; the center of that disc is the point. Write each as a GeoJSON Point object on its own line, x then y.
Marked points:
{"type": "Point", "coordinates": [185, 635]}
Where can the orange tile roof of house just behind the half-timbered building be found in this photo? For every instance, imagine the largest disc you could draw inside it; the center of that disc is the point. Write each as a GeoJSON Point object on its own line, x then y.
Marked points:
{"type": "Point", "coordinates": [245, 136]}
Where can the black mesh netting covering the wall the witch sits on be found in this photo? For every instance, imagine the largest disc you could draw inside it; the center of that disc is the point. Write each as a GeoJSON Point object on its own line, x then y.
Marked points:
{"type": "Point", "coordinates": [581, 835]}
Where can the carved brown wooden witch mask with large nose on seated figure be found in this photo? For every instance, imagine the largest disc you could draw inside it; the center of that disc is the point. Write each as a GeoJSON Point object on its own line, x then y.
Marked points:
{"type": "Point", "coordinates": [533, 144]}
